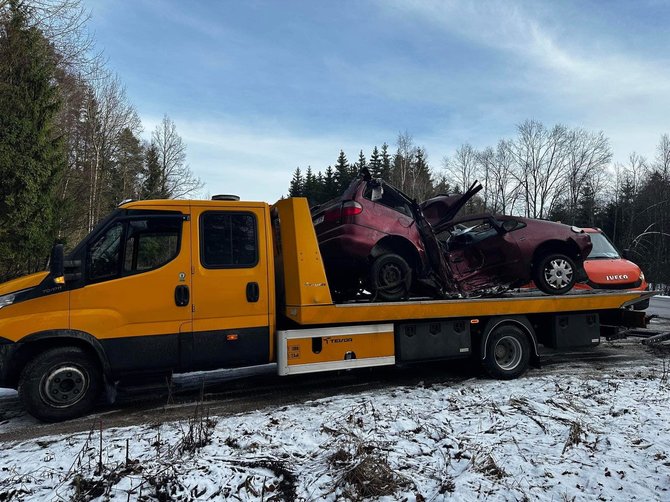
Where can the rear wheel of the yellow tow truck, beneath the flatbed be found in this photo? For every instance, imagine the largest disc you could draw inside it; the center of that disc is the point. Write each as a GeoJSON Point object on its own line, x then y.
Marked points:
{"type": "Point", "coordinates": [507, 352]}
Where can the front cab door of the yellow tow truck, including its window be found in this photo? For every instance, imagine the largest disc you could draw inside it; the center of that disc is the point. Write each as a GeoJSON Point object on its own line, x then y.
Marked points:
{"type": "Point", "coordinates": [134, 295]}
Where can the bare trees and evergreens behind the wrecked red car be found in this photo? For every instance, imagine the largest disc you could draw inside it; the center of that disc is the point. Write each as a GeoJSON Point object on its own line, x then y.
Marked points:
{"type": "Point", "coordinates": [557, 173]}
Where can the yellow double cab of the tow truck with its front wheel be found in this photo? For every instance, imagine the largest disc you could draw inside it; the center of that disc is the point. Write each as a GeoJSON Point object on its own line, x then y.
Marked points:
{"type": "Point", "coordinates": [157, 287]}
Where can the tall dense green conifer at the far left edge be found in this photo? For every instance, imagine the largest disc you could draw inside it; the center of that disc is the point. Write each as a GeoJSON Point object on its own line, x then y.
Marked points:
{"type": "Point", "coordinates": [32, 152]}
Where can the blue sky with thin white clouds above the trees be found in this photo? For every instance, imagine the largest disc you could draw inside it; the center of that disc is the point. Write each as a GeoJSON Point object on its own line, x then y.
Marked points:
{"type": "Point", "coordinates": [258, 88]}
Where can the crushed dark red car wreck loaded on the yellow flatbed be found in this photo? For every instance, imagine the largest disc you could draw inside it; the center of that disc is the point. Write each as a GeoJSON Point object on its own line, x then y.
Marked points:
{"type": "Point", "coordinates": [375, 238]}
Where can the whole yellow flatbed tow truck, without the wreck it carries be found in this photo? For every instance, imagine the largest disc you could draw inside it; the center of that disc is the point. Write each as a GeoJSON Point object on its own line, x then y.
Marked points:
{"type": "Point", "coordinates": [163, 287]}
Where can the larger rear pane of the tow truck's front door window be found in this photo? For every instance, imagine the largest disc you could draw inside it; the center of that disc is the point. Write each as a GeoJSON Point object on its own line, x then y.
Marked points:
{"type": "Point", "coordinates": [151, 243]}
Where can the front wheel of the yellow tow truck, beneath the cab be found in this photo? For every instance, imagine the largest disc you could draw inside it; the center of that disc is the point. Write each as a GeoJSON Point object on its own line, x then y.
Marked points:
{"type": "Point", "coordinates": [59, 384]}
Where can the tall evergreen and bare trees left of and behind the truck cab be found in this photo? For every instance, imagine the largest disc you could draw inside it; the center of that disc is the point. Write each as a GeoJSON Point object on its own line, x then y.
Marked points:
{"type": "Point", "coordinates": [70, 147]}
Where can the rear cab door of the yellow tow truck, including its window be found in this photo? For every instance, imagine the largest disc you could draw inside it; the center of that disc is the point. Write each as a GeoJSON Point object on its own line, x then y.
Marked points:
{"type": "Point", "coordinates": [231, 297]}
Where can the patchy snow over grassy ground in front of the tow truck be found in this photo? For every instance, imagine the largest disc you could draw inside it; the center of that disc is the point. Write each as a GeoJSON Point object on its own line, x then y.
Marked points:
{"type": "Point", "coordinates": [570, 433]}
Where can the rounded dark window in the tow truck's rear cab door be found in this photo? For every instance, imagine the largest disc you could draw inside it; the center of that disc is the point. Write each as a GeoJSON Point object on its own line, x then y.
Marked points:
{"type": "Point", "coordinates": [228, 240]}
